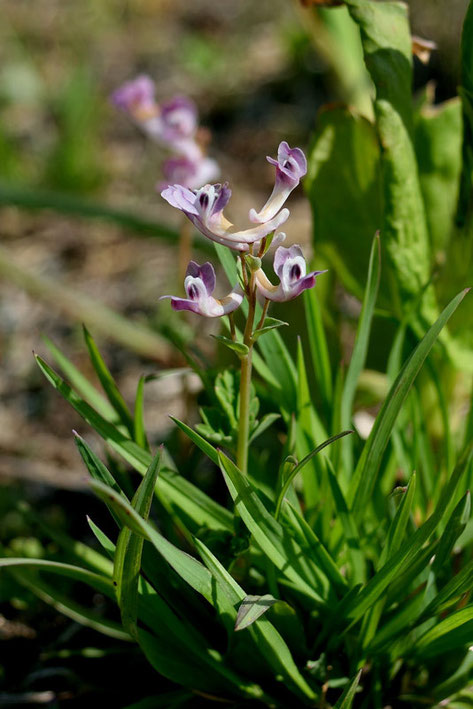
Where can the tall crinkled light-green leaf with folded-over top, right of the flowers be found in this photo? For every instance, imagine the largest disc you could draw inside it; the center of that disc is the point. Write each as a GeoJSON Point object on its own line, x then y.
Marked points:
{"type": "Point", "coordinates": [387, 49]}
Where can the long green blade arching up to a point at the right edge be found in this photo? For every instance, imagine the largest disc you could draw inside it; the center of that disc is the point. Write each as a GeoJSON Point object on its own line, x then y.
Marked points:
{"type": "Point", "coordinates": [366, 471]}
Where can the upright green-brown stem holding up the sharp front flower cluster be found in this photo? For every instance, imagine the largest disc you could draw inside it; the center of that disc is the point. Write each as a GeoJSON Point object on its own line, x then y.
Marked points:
{"type": "Point", "coordinates": [245, 381]}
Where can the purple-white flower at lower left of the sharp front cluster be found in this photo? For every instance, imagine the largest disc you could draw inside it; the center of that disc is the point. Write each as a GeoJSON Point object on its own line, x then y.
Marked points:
{"type": "Point", "coordinates": [199, 285]}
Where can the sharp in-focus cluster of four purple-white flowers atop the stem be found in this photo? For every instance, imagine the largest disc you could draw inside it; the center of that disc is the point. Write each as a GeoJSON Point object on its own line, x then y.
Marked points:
{"type": "Point", "coordinates": [204, 207]}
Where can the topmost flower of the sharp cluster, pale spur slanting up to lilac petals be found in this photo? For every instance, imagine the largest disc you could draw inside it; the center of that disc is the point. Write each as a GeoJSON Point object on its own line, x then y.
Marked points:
{"type": "Point", "coordinates": [291, 166]}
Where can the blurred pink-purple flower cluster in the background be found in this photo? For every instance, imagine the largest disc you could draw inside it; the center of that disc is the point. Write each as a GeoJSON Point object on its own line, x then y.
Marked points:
{"type": "Point", "coordinates": [173, 124]}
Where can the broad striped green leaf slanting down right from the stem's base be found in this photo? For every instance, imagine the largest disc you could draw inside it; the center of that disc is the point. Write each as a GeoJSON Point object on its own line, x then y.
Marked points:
{"type": "Point", "coordinates": [270, 536]}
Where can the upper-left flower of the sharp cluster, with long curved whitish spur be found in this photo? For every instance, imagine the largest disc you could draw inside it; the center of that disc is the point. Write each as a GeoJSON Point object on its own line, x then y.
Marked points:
{"type": "Point", "coordinates": [204, 208]}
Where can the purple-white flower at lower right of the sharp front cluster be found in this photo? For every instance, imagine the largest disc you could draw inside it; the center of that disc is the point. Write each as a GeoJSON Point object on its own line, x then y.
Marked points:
{"type": "Point", "coordinates": [290, 266]}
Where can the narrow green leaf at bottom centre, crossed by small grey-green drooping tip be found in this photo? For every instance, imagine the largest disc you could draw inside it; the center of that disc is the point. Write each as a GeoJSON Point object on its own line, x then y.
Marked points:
{"type": "Point", "coordinates": [268, 640]}
